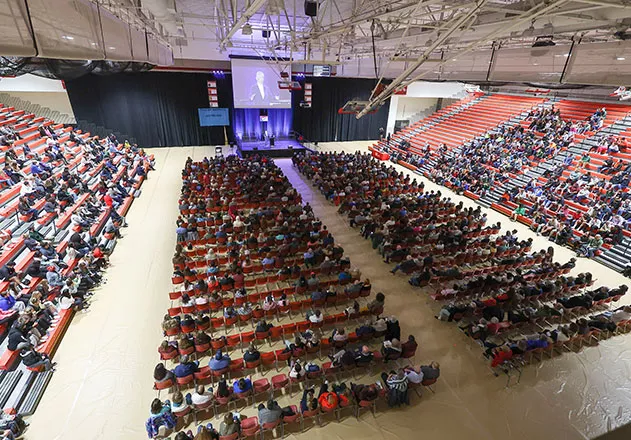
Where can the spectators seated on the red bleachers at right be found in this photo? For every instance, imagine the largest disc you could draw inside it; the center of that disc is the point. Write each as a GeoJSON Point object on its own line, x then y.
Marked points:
{"type": "Point", "coordinates": [587, 203]}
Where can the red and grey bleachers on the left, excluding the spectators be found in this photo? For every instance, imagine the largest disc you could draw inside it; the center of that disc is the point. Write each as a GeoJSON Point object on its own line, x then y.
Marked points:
{"type": "Point", "coordinates": [56, 227]}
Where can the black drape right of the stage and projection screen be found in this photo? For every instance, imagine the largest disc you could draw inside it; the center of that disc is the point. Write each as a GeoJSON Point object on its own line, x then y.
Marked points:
{"type": "Point", "coordinates": [322, 123]}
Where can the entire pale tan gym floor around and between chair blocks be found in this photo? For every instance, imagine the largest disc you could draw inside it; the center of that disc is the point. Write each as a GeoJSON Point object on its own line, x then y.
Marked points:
{"type": "Point", "coordinates": [103, 385]}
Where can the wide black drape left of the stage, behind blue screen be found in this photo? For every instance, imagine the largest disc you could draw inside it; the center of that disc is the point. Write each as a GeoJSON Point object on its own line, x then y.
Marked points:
{"type": "Point", "coordinates": [158, 109]}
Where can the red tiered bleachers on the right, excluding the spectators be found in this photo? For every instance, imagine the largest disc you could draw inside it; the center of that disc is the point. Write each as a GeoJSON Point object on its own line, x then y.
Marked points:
{"type": "Point", "coordinates": [501, 183]}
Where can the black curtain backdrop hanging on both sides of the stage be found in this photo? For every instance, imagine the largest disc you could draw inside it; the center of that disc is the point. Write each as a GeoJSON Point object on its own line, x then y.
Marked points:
{"type": "Point", "coordinates": [160, 108]}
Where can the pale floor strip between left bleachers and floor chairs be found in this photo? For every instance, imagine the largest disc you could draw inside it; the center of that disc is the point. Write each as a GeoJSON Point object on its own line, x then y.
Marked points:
{"type": "Point", "coordinates": [103, 385]}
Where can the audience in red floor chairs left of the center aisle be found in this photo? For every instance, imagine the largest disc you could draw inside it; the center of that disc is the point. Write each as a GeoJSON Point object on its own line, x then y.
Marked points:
{"type": "Point", "coordinates": [250, 254]}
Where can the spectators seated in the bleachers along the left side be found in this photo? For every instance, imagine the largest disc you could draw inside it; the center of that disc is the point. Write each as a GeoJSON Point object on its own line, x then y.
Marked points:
{"type": "Point", "coordinates": [80, 185]}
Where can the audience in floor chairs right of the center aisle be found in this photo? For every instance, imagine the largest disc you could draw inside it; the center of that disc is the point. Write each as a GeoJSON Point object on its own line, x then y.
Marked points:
{"type": "Point", "coordinates": [498, 289]}
